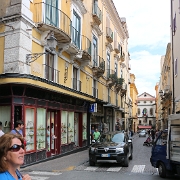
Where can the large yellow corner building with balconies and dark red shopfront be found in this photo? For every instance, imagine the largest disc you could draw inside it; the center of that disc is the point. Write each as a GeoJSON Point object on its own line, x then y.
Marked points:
{"type": "Point", "coordinates": [64, 65]}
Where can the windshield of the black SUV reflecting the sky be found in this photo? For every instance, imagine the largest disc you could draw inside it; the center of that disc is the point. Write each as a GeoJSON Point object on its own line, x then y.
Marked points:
{"type": "Point", "coordinates": [112, 138]}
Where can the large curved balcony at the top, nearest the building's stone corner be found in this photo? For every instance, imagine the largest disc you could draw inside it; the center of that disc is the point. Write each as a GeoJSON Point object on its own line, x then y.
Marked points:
{"type": "Point", "coordinates": [49, 18]}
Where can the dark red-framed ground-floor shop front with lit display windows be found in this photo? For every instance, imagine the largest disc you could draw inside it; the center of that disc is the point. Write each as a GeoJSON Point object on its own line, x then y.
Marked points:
{"type": "Point", "coordinates": [54, 124]}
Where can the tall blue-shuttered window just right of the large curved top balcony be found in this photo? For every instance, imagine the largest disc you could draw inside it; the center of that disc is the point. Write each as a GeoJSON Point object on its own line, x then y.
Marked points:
{"type": "Point", "coordinates": [76, 23]}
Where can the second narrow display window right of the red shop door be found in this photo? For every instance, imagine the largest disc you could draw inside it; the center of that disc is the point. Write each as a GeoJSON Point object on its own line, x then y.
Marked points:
{"type": "Point", "coordinates": [71, 127]}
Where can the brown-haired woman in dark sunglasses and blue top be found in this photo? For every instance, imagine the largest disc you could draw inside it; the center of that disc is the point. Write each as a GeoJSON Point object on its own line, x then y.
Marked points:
{"type": "Point", "coordinates": [11, 157]}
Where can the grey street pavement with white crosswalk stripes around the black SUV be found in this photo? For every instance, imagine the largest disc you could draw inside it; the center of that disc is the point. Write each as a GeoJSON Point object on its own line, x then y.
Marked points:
{"type": "Point", "coordinates": [76, 166]}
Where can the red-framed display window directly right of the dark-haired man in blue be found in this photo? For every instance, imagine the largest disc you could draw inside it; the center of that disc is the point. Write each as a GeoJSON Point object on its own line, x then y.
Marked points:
{"type": "Point", "coordinates": [30, 129]}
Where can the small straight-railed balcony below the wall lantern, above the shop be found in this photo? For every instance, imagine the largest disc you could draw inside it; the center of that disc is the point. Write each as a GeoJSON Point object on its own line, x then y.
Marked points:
{"type": "Point", "coordinates": [51, 74]}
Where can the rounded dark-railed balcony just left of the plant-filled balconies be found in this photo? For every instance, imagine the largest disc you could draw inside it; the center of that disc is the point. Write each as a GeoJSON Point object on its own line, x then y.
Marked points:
{"type": "Point", "coordinates": [98, 66]}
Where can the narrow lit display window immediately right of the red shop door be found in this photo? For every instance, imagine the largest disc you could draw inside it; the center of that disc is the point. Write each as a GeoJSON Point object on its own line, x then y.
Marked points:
{"type": "Point", "coordinates": [64, 127]}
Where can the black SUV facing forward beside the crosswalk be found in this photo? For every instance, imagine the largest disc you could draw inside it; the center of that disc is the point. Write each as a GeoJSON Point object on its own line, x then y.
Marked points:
{"type": "Point", "coordinates": [115, 146]}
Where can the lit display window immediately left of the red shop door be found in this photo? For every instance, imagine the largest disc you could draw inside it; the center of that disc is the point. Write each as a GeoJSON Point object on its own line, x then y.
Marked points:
{"type": "Point", "coordinates": [41, 130]}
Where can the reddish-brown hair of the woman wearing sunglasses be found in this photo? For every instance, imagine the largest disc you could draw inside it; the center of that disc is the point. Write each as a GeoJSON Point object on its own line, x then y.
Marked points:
{"type": "Point", "coordinates": [5, 144]}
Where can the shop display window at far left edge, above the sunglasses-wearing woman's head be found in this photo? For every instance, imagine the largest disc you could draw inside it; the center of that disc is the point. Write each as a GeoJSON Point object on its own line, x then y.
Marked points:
{"type": "Point", "coordinates": [5, 117]}
